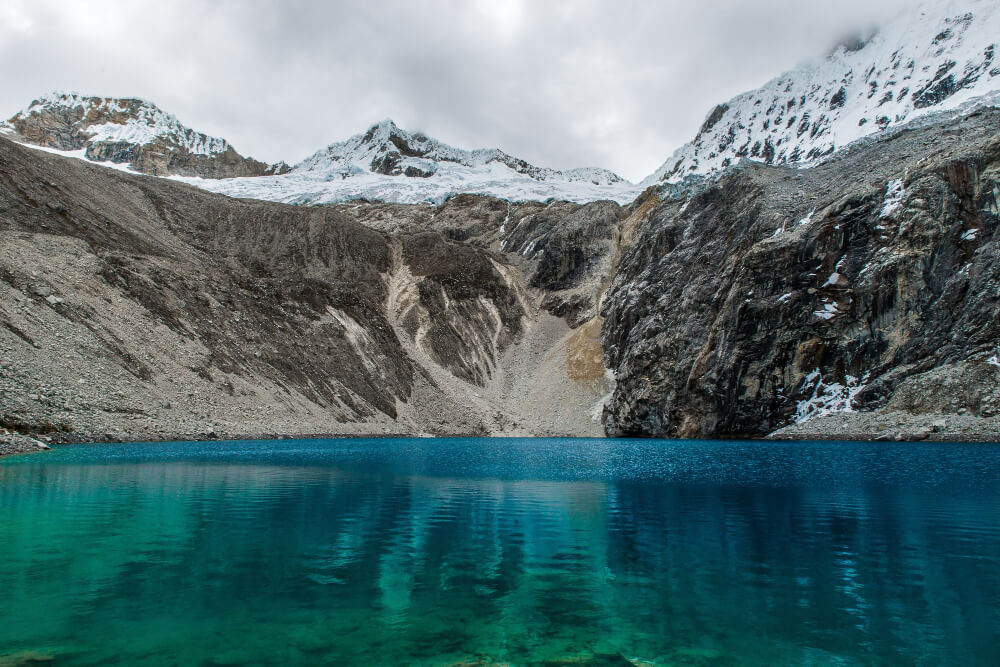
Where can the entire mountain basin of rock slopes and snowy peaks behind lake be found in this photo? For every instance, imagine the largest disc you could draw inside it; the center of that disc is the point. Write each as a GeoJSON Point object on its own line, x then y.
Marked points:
{"type": "Point", "coordinates": [792, 272]}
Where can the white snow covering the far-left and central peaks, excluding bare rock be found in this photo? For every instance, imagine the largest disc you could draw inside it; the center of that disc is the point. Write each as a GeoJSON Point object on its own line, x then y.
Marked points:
{"type": "Point", "coordinates": [343, 170]}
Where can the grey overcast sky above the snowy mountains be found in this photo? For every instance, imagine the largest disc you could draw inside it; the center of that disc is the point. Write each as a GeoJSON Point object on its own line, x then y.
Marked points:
{"type": "Point", "coordinates": [616, 83]}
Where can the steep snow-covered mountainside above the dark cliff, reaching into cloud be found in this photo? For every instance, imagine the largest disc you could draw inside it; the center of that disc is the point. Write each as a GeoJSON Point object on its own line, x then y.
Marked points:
{"type": "Point", "coordinates": [939, 57]}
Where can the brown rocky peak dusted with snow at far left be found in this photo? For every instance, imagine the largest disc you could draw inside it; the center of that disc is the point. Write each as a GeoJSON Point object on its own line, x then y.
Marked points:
{"type": "Point", "coordinates": [133, 132]}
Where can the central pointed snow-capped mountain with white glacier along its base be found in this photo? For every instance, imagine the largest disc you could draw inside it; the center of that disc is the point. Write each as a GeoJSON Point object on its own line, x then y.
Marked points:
{"type": "Point", "coordinates": [386, 163]}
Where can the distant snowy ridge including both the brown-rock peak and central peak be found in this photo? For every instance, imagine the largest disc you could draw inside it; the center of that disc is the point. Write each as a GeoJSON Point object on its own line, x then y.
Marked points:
{"type": "Point", "coordinates": [383, 163]}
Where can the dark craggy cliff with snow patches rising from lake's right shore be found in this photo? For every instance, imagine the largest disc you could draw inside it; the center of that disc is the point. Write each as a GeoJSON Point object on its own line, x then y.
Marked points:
{"type": "Point", "coordinates": [772, 295]}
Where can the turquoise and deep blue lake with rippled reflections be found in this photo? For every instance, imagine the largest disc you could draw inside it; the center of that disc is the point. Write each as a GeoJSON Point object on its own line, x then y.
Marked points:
{"type": "Point", "coordinates": [519, 551]}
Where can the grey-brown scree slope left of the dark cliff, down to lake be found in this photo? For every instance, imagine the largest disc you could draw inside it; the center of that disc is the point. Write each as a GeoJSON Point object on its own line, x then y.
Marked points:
{"type": "Point", "coordinates": [141, 308]}
